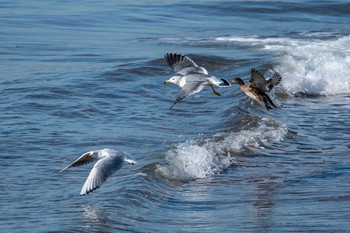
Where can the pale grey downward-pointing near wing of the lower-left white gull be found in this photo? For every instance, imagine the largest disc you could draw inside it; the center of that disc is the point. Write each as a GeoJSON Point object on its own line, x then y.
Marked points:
{"type": "Point", "coordinates": [103, 169]}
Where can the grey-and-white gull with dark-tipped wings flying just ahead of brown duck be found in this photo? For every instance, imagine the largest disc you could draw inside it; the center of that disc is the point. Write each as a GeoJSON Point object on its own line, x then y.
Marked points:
{"type": "Point", "coordinates": [192, 78]}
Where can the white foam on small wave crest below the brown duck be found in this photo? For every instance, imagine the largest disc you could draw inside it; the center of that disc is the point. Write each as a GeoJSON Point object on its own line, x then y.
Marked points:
{"type": "Point", "coordinates": [202, 158]}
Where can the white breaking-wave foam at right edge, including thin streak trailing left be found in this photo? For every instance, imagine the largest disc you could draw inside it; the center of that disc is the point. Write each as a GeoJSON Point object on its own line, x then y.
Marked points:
{"type": "Point", "coordinates": [309, 66]}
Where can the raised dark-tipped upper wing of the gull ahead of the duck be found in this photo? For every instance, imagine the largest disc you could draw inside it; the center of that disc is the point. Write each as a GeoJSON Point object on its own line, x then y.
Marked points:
{"type": "Point", "coordinates": [183, 64]}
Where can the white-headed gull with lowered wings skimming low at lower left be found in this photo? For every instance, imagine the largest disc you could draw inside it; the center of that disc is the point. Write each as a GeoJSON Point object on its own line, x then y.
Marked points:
{"type": "Point", "coordinates": [108, 161]}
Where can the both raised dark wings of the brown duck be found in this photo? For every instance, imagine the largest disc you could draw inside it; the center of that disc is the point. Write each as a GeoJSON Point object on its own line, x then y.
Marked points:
{"type": "Point", "coordinates": [257, 80]}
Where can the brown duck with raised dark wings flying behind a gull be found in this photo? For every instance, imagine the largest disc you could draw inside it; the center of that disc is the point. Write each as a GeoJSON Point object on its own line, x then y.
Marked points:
{"type": "Point", "coordinates": [259, 86]}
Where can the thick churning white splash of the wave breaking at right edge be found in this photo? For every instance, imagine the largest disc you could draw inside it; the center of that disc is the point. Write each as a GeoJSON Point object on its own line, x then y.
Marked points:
{"type": "Point", "coordinates": [318, 67]}
